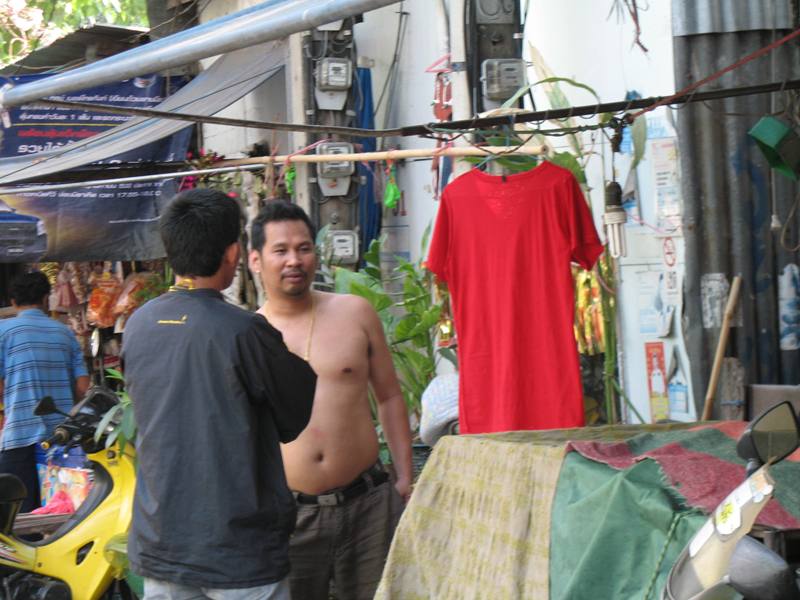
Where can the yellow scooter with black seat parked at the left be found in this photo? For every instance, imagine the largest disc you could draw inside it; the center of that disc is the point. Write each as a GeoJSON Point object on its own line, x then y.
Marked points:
{"type": "Point", "coordinates": [70, 564]}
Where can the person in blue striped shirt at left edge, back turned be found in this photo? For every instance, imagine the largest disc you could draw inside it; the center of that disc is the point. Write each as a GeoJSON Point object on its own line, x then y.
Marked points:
{"type": "Point", "coordinates": [38, 357]}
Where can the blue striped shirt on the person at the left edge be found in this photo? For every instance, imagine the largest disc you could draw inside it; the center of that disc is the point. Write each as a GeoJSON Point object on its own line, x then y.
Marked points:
{"type": "Point", "coordinates": [38, 357]}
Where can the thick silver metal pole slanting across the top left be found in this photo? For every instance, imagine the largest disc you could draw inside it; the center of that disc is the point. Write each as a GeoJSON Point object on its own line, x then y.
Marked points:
{"type": "Point", "coordinates": [271, 20]}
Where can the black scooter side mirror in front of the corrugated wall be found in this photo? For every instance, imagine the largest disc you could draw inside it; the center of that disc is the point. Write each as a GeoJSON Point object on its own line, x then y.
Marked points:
{"type": "Point", "coordinates": [772, 436]}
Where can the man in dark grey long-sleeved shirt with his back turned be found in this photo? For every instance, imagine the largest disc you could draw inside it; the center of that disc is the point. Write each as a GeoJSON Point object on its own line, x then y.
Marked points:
{"type": "Point", "coordinates": [214, 391]}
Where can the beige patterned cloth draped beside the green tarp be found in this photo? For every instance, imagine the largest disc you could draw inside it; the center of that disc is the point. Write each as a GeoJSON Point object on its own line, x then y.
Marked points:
{"type": "Point", "coordinates": [478, 523]}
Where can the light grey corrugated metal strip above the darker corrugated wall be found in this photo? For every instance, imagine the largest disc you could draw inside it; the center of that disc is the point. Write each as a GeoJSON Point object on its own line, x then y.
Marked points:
{"type": "Point", "coordinates": [693, 17]}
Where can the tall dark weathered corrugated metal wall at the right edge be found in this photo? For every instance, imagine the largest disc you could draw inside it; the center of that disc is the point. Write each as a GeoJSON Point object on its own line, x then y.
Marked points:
{"type": "Point", "coordinates": [728, 193]}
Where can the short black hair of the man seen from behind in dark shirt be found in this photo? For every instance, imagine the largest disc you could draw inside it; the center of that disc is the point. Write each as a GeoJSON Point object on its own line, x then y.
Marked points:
{"type": "Point", "coordinates": [197, 227]}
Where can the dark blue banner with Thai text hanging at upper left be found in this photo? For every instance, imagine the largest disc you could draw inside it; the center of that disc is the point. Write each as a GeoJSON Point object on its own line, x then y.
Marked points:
{"type": "Point", "coordinates": [109, 222]}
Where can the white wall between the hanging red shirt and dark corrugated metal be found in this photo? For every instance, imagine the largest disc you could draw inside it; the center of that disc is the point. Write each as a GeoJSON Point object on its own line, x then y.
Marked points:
{"type": "Point", "coordinates": [579, 40]}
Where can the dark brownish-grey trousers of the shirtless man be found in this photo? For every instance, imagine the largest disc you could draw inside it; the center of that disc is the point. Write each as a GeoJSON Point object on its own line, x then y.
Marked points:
{"type": "Point", "coordinates": [345, 543]}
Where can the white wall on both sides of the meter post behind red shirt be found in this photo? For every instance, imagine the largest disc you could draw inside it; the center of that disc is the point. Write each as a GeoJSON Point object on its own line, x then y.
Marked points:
{"type": "Point", "coordinates": [578, 40]}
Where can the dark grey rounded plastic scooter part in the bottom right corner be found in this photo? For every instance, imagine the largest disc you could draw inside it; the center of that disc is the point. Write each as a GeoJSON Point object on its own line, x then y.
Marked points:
{"type": "Point", "coordinates": [758, 572]}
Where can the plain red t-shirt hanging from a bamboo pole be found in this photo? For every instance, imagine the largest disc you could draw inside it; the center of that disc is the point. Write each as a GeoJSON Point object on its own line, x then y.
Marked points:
{"type": "Point", "coordinates": [504, 247]}
